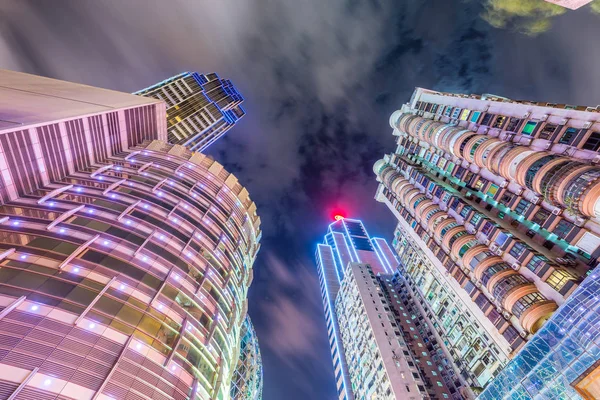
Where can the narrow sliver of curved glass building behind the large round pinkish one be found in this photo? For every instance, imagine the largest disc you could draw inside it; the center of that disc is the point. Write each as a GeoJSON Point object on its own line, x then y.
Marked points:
{"type": "Point", "coordinates": [247, 381]}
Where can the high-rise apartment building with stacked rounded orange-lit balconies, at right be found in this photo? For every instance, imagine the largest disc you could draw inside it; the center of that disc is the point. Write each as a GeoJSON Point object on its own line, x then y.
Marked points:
{"type": "Point", "coordinates": [497, 204]}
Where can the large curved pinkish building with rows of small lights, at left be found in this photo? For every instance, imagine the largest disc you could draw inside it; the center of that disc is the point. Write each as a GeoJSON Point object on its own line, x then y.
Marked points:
{"type": "Point", "coordinates": [124, 260]}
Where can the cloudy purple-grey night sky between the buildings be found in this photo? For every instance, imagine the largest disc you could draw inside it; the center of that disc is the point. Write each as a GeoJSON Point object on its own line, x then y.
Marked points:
{"type": "Point", "coordinates": [320, 79]}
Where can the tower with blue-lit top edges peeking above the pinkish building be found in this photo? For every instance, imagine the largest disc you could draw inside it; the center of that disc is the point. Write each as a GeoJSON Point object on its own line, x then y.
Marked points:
{"type": "Point", "coordinates": [200, 108]}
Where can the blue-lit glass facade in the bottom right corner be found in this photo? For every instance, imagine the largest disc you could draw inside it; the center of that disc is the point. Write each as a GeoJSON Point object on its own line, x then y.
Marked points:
{"type": "Point", "coordinates": [562, 361]}
